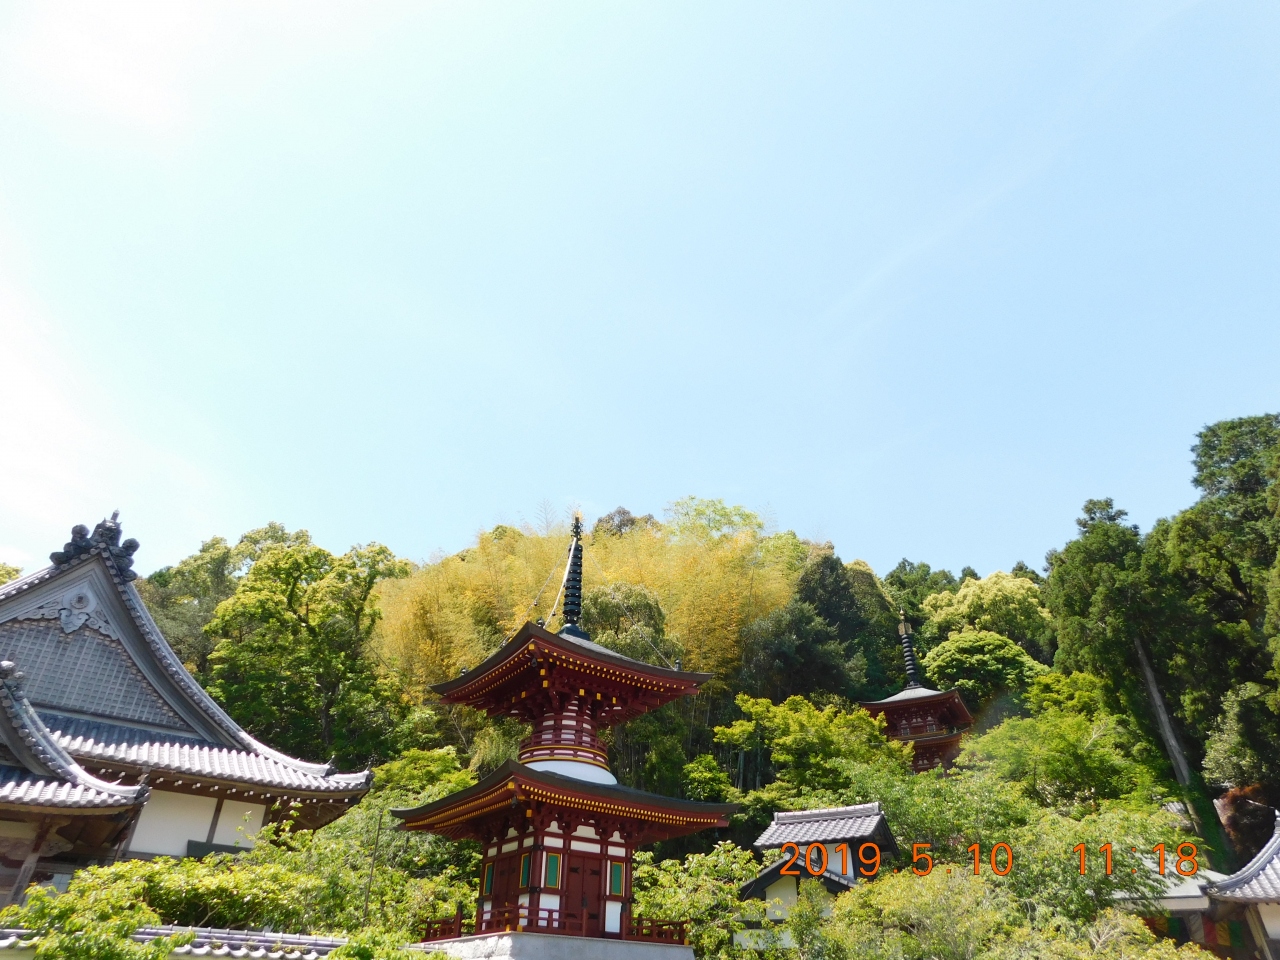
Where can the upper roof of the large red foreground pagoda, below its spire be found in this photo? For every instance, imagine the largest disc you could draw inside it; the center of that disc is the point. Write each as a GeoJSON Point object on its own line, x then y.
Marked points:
{"type": "Point", "coordinates": [514, 668]}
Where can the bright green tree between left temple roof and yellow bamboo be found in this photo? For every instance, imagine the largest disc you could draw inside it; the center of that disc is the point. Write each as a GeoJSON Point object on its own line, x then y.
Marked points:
{"type": "Point", "coordinates": [292, 660]}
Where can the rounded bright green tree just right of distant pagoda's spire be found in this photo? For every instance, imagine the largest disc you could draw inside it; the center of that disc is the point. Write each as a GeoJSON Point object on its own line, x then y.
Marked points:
{"type": "Point", "coordinates": [981, 666]}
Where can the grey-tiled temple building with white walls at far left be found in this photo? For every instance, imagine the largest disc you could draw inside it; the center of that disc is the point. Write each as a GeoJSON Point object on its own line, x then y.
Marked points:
{"type": "Point", "coordinates": [109, 748]}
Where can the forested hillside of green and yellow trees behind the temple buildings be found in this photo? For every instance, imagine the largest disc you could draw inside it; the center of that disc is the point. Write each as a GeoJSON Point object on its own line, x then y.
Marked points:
{"type": "Point", "coordinates": [1121, 689]}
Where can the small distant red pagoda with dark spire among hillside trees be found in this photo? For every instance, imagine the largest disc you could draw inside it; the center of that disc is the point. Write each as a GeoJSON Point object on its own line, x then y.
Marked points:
{"type": "Point", "coordinates": [932, 721]}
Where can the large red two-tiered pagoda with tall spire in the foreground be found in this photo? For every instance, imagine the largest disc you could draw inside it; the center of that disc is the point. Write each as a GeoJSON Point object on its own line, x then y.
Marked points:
{"type": "Point", "coordinates": [559, 831]}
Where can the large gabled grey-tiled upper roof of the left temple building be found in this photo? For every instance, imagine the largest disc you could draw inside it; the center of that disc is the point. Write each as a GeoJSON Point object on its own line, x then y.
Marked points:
{"type": "Point", "coordinates": [113, 693]}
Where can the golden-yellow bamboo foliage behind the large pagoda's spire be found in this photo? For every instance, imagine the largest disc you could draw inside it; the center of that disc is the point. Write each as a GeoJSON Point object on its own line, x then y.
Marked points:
{"type": "Point", "coordinates": [711, 566]}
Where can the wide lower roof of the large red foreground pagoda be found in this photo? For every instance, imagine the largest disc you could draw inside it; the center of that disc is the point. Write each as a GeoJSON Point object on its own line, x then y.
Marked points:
{"type": "Point", "coordinates": [514, 784]}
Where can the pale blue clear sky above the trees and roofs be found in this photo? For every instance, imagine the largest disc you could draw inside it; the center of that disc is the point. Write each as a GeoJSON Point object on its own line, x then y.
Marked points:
{"type": "Point", "coordinates": [915, 278]}
